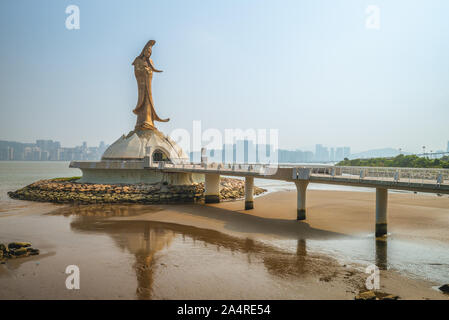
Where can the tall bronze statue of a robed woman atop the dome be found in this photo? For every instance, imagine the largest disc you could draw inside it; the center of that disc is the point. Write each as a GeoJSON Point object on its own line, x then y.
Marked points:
{"type": "Point", "coordinates": [143, 70]}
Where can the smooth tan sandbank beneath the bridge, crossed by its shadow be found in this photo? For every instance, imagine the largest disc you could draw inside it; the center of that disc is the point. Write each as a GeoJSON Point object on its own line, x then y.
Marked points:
{"type": "Point", "coordinates": [329, 214]}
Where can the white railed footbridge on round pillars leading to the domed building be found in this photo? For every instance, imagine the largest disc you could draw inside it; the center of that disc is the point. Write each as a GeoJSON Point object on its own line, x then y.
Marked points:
{"type": "Point", "coordinates": [382, 179]}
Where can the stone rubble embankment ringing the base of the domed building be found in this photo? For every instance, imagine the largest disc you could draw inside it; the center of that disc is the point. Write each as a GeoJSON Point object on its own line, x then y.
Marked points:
{"type": "Point", "coordinates": [69, 191]}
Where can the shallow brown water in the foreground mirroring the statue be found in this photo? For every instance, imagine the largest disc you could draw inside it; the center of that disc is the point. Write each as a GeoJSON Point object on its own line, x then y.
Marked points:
{"type": "Point", "coordinates": [149, 260]}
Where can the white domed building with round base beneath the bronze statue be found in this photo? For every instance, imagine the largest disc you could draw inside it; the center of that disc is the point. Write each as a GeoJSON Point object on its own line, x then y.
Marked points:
{"type": "Point", "coordinates": [134, 158]}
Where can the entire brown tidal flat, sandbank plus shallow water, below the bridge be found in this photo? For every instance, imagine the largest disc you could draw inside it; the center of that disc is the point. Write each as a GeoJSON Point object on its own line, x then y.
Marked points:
{"type": "Point", "coordinates": [221, 251]}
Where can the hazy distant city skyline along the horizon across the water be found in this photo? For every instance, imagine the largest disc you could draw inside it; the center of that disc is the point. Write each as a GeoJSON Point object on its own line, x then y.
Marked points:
{"type": "Point", "coordinates": [242, 151]}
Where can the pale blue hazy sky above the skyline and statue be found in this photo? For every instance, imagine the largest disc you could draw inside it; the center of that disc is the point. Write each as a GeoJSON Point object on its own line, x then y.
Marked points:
{"type": "Point", "coordinates": [308, 68]}
